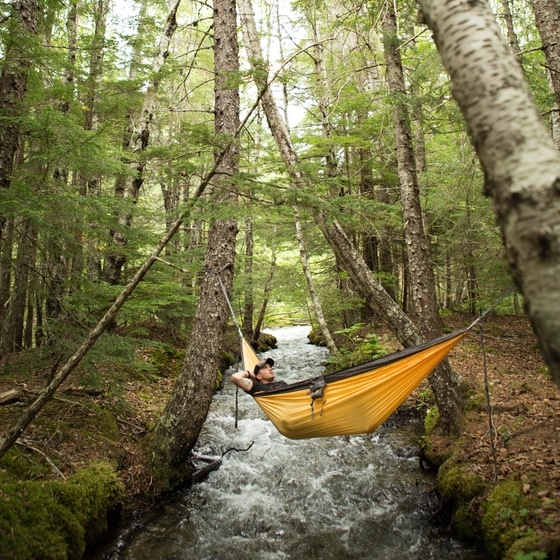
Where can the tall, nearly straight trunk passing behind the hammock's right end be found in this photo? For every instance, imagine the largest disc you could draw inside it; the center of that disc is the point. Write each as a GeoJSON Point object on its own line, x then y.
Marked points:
{"type": "Point", "coordinates": [447, 387]}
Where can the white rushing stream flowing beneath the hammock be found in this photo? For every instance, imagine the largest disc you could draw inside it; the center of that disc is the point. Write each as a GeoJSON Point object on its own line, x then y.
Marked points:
{"type": "Point", "coordinates": [274, 498]}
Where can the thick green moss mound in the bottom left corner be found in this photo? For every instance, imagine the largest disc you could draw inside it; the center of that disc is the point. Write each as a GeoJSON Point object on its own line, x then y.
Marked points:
{"type": "Point", "coordinates": [43, 520]}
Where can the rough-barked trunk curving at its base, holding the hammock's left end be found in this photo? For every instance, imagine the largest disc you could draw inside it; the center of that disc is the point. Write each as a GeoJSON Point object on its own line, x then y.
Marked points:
{"type": "Point", "coordinates": [184, 415]}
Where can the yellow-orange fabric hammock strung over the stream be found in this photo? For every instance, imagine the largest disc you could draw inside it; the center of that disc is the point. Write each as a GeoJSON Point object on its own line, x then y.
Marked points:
{"type": "Point", "coordinates": [355, 400]}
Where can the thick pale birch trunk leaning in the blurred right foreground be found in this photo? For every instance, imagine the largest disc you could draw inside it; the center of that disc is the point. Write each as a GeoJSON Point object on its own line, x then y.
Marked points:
{"type": "Point", "coordinates": [520, 162]}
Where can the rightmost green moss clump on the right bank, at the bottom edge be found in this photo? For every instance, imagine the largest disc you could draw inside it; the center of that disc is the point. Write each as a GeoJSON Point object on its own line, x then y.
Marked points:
{"type": "Point", "coordinates": [505, 517]}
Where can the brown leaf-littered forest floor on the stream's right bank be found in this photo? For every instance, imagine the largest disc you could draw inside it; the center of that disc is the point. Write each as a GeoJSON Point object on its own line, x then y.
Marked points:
{"type": "Point", "coordinates": [520, 464]}
